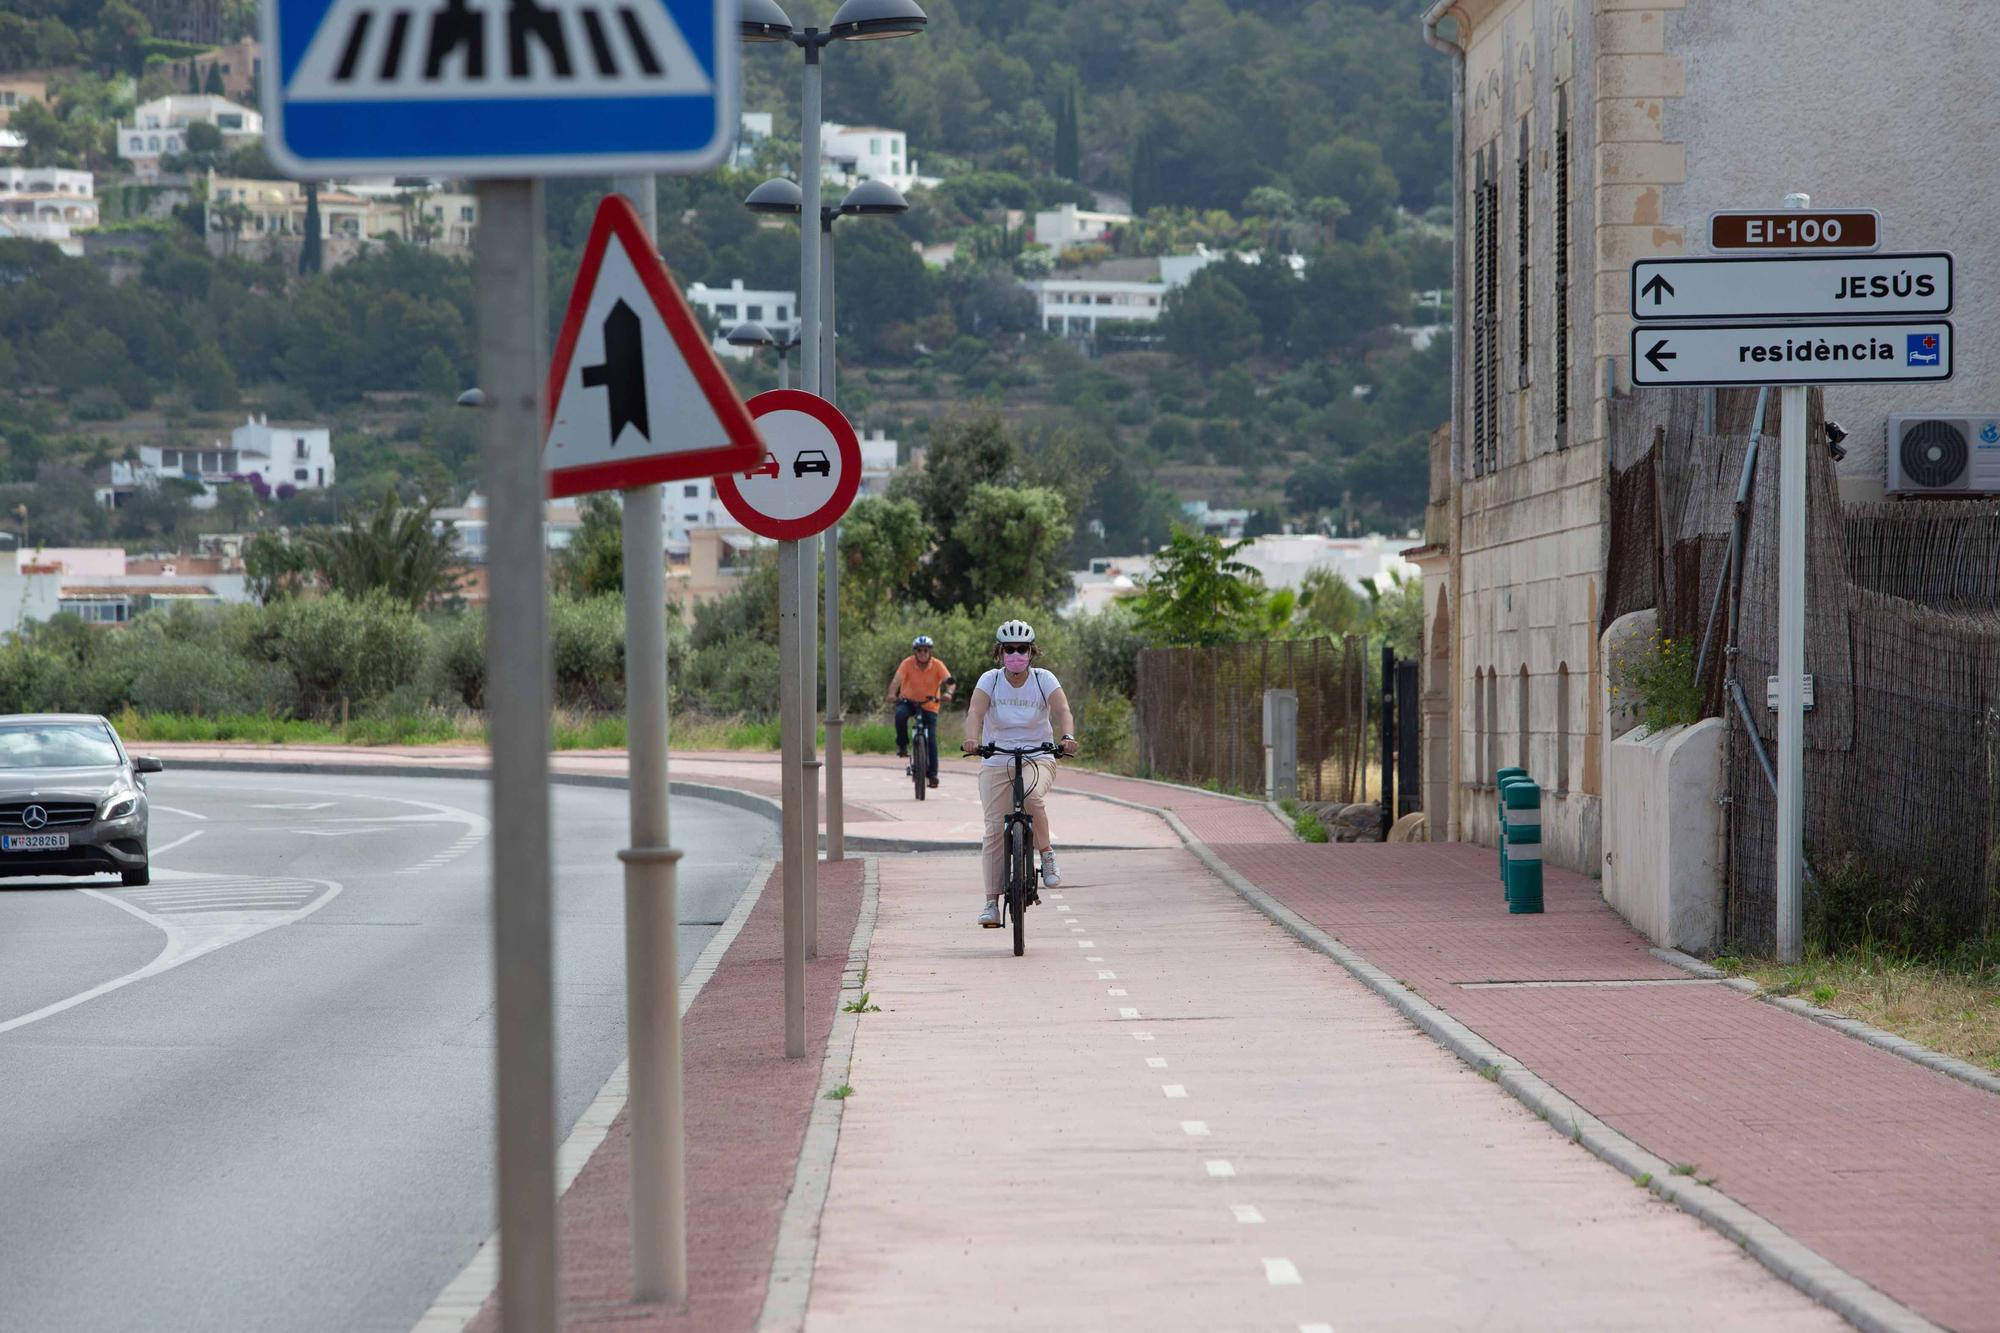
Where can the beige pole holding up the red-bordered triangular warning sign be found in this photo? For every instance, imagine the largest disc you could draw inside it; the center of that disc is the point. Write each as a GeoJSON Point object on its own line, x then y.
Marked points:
{"type": "Point", "coordinates": [653, 914]}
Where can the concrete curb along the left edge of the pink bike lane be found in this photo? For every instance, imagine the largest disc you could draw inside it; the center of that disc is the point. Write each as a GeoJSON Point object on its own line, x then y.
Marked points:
{"type": "Point", "coordinates": [799, 1230]}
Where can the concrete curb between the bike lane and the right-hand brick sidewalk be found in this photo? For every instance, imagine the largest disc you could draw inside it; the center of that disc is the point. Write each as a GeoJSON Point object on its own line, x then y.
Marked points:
{"type": "Point", "coordinates": [1785, 1256]}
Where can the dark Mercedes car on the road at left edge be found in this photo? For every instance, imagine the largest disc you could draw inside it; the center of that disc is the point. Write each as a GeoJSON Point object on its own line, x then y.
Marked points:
{"type": "Point", "coordinates": [71, 800]}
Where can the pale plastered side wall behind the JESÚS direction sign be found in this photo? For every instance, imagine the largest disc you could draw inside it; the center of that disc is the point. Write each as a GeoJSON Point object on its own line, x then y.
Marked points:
{"type": "Point", "coordinates": [1861, 105]}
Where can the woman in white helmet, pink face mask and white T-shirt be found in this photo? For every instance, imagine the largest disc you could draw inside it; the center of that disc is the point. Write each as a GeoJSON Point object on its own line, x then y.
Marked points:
{"type": "Point", "coordinates": [1017, 706]}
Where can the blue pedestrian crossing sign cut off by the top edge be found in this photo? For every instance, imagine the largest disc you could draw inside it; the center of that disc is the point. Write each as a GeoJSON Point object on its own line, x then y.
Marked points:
{"type": "Point", "coordinates": [499, 87]}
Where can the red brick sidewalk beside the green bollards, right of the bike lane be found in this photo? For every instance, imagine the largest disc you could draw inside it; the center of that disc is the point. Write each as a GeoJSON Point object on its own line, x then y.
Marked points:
{"type": "Point", "coordinates": [1885, 1168]}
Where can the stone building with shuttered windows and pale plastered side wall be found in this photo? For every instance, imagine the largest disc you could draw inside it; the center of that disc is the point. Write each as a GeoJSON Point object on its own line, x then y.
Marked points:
{"type": "Point", "coordinates": [1589, 135]}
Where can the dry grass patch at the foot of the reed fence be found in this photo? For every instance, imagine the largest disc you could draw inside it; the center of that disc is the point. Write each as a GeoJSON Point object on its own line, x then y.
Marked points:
{"type": "Point", "coordinates": [1951, 1006]}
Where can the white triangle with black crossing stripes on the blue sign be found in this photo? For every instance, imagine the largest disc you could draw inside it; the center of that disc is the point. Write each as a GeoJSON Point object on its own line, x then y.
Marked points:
{"type": "Point", "coordinates": [403, 51]}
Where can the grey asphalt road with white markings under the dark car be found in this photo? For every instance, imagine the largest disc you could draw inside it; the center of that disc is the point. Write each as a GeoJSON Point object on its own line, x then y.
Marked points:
{"type": "Point", "coordinates": [259, 1094]}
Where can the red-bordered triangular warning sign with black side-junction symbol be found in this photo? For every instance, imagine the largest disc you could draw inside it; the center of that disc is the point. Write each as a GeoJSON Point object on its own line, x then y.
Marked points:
{"type": "Point", "coordinates": [635, 393]}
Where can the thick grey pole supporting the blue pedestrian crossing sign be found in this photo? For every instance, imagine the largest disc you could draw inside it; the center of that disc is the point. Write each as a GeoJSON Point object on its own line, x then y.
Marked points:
{"type": "Point", "coordinates": [511, 291]}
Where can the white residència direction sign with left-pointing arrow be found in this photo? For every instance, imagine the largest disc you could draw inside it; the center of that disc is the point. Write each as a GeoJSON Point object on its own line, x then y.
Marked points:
{"type": "Point", "coordinates": [1863, 353]}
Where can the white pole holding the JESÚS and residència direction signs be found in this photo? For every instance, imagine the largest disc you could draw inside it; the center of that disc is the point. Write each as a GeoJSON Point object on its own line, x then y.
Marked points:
{"type": "Point", "coordinates": [1791, 657]}
